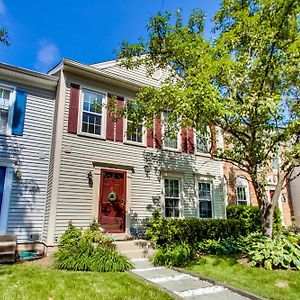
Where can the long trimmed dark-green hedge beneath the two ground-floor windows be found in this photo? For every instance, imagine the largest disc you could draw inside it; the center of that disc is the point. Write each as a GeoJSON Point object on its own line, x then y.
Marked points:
{"type": "Point", "coordinates": [163, 231]}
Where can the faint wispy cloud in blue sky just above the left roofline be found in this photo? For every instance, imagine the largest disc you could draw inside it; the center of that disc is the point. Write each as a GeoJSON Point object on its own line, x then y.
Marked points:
{"type": "Point", "coordinates": [47, 56]}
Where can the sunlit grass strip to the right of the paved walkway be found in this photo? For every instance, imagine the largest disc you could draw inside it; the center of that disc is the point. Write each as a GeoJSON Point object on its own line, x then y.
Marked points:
{"type": "Point", "coordinates": [276, 284]}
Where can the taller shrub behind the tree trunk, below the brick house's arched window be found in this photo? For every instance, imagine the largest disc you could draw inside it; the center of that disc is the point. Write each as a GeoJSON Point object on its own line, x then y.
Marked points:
{"type": "Point", "coordinates": [250, 218]}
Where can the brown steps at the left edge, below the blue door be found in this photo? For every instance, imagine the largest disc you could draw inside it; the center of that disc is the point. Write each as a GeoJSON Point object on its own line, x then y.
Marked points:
{"type": "Point", "coordinates": [8, 246]}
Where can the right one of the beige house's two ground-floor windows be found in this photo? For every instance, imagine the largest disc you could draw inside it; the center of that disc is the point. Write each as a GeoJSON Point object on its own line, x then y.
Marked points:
{"type": "Point", "coordinates": [205, 199]}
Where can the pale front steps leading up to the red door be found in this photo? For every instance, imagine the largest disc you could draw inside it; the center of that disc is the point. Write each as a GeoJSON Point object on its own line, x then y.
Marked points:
{"type": "Point", "coordinates": [135, 248]}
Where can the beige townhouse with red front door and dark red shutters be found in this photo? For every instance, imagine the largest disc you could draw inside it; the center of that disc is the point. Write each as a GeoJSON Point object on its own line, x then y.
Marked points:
{"type": "Point", "coordinates": [100, 170]}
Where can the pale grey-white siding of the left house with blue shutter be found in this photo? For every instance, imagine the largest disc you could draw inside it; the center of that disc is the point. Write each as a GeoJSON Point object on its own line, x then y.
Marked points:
{"type": "Point", "coordinates": [31, 152]}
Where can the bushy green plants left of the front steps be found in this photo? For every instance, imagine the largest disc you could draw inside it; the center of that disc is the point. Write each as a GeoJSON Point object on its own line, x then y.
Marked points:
{"type": "Point", "coordinates": [88, 251]}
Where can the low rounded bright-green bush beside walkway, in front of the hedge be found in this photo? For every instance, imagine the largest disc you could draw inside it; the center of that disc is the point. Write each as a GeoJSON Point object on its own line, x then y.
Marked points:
{"type": "Point", "coordinates": [176, 255]}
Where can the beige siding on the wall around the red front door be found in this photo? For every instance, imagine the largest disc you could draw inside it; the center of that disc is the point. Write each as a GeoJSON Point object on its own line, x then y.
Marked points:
{"type": "Point", "coordinates": [75, 195]}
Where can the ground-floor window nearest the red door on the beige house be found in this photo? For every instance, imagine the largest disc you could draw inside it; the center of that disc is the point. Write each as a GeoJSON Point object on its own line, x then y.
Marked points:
{"type": "Point", "coordinates": [172, 197]}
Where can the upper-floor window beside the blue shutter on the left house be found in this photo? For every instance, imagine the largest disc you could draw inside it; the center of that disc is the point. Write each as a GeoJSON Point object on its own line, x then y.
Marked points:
{"type": "Point", "coordinates": [6, 95]}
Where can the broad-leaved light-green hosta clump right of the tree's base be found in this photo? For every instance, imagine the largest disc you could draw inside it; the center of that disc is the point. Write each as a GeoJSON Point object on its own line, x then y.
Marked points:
{"type": "Point", "coordinates": [275, 253]}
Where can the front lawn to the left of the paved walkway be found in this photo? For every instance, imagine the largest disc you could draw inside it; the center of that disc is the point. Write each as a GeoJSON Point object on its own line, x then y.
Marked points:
{"type": "Point", "coordinates": [32, 281]}
